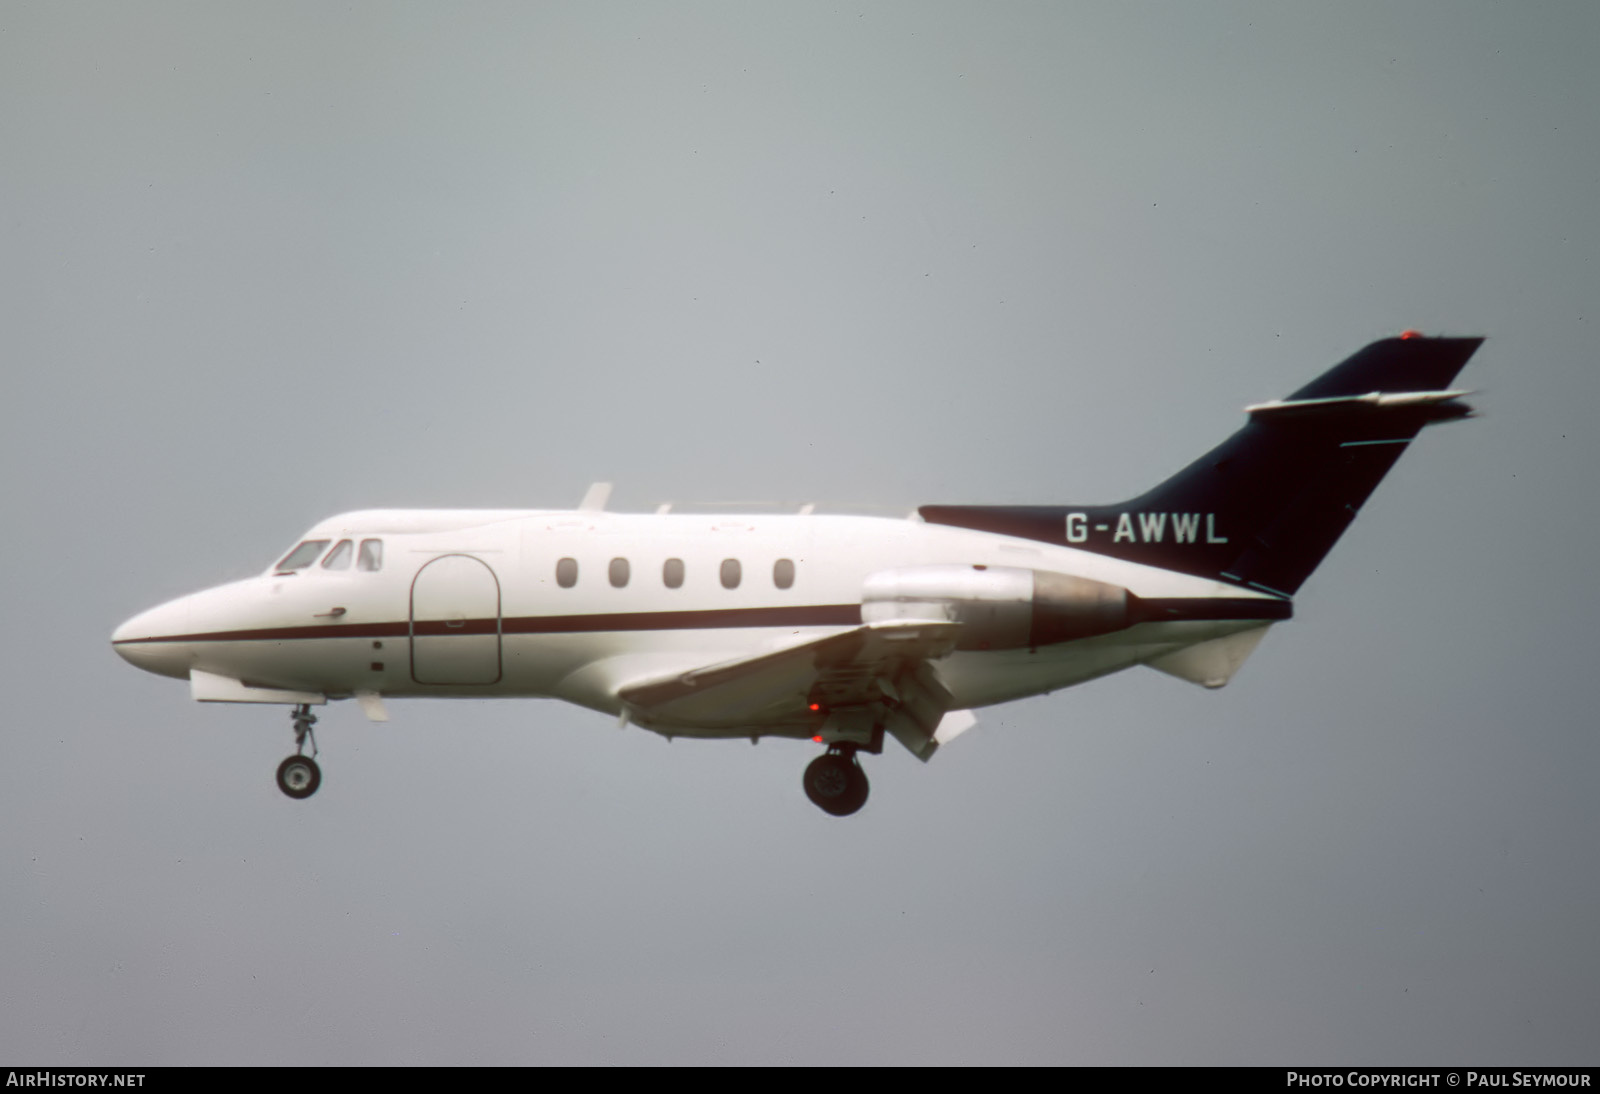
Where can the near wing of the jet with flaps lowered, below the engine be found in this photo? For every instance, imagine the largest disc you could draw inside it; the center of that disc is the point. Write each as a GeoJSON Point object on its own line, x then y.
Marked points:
{"type": "Point", "coordinates": [852, 687]}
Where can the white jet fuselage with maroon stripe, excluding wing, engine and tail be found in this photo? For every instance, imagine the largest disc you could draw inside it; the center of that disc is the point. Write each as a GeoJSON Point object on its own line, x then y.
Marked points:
{"type": "Point", "coordinates": [473, 604]}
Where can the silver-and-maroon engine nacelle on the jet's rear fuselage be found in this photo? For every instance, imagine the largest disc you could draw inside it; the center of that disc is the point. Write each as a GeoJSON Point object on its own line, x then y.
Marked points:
{"type": "Point", "coordinates": [999, 607]}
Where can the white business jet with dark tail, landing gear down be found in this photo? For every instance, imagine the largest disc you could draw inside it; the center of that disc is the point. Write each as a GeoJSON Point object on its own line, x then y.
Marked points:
{"type": "Point", "coordinates": [844, 631]}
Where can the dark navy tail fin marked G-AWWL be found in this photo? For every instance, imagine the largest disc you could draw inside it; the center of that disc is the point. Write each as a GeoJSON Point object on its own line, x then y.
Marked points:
{"type": "Point", "coordinates": [1265, 508]}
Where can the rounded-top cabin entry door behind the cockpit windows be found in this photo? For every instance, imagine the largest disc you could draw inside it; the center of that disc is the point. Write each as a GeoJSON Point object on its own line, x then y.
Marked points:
{"type": "Point", "coordinates": [455, 623]}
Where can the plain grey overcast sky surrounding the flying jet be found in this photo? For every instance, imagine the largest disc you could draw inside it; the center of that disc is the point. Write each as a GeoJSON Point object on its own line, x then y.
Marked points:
{"type": "Point", "coordinates": [266, 263]}
